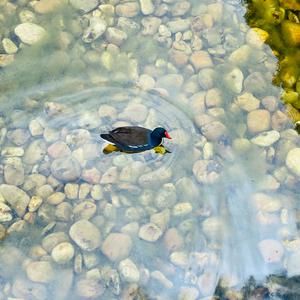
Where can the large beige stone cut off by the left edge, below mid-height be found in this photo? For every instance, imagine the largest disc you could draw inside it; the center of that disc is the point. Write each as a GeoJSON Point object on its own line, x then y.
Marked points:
{"type": "Point", "coordinates": [16, 197]}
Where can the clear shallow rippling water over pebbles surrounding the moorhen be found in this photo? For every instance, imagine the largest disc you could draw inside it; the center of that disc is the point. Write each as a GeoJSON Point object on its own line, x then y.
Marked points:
{"type": "Point", "coordinates": [209, 189]}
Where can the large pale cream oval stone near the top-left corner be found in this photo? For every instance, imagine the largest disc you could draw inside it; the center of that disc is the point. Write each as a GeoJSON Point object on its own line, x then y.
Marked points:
{"type": "Point", "coordinates": [30, 33]}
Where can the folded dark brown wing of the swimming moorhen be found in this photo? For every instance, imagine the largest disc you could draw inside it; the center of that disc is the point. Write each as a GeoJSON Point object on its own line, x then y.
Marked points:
{"type": "Point", "coordinates": [131, 135]}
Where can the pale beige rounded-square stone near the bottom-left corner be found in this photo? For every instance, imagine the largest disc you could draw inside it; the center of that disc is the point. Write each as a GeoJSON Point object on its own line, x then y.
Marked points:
{"type": "Point", "coordinates": [40, 271]}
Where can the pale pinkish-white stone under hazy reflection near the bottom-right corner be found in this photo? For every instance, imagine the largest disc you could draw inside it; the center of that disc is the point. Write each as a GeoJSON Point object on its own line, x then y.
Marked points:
{"type": "Point", "coordinates": [271, 250]}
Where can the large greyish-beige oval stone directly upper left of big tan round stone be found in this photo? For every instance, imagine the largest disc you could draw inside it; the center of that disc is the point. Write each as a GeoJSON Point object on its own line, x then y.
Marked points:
{"type": "Point", "coordinates": [86, 235]}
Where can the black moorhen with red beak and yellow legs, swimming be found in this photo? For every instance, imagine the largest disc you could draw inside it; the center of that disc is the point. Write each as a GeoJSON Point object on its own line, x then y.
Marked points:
{"type": "Point", "coordinates": [133, 139]}
